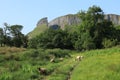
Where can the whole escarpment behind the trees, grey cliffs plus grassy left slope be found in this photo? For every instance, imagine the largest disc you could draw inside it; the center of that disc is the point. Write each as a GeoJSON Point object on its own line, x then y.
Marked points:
{"type": "Point", "coordinates": [70, 19]}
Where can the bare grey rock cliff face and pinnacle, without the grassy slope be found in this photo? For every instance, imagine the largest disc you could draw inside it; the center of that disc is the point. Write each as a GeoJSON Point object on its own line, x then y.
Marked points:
{"type": "Point", "coordinates": [73, 19]}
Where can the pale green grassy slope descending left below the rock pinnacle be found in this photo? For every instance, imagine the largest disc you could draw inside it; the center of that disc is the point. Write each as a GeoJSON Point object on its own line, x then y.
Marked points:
{"type": "Point", "coordinates": [37, 31]}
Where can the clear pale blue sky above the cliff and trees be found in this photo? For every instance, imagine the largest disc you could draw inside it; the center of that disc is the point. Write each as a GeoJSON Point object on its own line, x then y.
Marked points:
{"type": "Point", "coordinates": [28, 12]}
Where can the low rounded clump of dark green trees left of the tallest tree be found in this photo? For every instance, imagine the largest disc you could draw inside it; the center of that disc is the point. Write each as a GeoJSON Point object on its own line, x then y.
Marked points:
{"type": "Point", "coordinates": [51, 39]}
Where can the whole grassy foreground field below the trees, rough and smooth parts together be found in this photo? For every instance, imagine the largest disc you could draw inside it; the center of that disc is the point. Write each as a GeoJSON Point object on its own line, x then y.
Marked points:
{"type": "Point", "coordinates": [97, 65]}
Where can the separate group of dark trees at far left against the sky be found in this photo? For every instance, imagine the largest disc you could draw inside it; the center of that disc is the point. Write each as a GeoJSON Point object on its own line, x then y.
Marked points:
{"type": "Point", "coordinates": [11, 35]}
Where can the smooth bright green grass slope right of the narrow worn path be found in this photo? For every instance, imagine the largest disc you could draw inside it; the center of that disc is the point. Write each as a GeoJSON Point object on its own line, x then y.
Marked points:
{"type": "Point", "coordinates": [99, 65]}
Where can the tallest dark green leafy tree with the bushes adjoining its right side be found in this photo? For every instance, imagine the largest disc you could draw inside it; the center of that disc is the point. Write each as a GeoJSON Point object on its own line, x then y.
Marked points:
{"type": "Point", "coordinates": [94, 29]}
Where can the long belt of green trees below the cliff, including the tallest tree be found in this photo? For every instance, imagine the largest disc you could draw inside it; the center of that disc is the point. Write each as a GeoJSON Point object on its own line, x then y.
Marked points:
{"type": "Point", "coordinates": [94, 32]}
